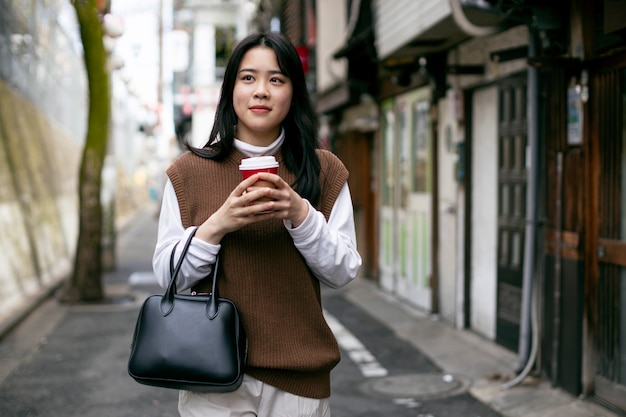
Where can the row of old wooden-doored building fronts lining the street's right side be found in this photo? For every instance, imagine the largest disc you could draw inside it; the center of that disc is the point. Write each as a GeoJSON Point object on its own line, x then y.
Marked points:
{"type": "Point", "coordinates": [497, 168]}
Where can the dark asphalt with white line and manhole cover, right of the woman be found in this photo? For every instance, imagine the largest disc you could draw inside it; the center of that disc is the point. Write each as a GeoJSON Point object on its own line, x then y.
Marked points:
{"type": "Point", "coordinates": [381, 375]}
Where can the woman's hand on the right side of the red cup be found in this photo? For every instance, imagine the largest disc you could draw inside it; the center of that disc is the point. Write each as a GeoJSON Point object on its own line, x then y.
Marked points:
{"type": "Point", "coordinates": [286, 204]}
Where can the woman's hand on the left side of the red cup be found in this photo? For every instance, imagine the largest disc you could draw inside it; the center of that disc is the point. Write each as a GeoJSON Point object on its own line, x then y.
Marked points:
{"type": "Point", "coordinates": [239, 209]}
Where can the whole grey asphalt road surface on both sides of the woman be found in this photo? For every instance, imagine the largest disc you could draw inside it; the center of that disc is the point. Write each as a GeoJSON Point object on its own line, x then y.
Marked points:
{"type": "Point", "coordinates": [71, 360]}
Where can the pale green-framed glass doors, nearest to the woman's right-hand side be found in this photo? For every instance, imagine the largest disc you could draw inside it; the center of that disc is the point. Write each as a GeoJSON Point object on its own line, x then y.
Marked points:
{"type": "Point", "coordinates": [406, 198]}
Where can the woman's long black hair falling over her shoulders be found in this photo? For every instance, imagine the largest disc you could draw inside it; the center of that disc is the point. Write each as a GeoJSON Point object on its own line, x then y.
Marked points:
{"type": "Point", "coordinates": [300, 124]}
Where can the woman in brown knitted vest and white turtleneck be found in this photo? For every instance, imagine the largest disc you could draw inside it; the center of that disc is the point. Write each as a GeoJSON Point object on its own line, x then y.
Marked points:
{"type": "Point", "coordinates": [273, 254]}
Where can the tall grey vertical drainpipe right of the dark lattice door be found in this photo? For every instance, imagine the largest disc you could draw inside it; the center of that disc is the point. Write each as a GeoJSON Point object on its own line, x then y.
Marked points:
{"type": "Point", "coordinates": [529, 313]}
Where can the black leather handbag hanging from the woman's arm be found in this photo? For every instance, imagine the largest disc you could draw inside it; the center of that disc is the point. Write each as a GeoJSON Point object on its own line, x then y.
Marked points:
{"type": "Point", "coordinates": [189, 342]}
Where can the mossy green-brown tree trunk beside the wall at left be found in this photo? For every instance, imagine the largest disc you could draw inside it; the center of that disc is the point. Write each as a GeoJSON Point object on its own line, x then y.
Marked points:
{"type": "Point", "coordinates": [85, 284]}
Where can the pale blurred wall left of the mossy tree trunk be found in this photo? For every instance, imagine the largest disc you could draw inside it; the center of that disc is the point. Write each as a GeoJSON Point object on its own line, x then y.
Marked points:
{"type": "Point", "coordinates": [42, 117]}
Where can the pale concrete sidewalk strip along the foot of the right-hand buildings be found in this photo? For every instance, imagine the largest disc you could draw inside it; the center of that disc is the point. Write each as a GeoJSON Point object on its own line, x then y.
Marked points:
{"type": "Point", "coordinates": [464, 353]}
